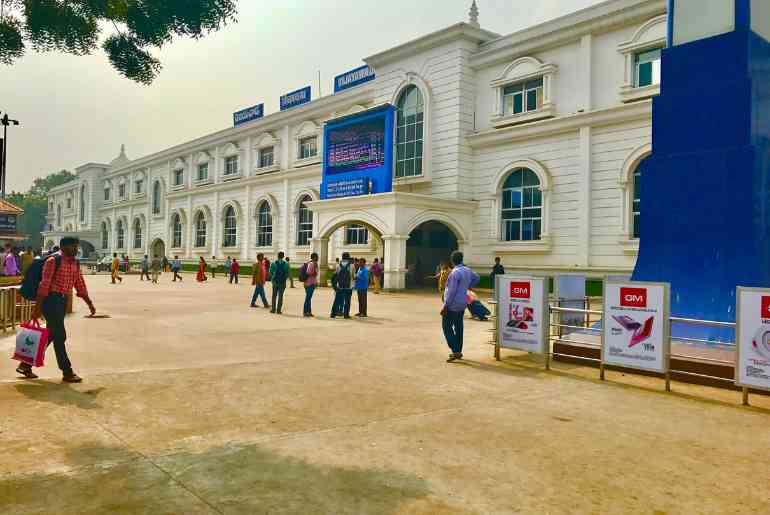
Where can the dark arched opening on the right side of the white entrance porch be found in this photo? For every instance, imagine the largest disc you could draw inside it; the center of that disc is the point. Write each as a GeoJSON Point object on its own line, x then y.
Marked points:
{"type": "Point", "coordinates": [428, 245]}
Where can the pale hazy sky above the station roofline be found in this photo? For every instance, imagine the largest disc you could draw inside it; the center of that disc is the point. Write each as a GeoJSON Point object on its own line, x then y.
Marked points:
{"type": "Point", "coordinates": [76, 110]}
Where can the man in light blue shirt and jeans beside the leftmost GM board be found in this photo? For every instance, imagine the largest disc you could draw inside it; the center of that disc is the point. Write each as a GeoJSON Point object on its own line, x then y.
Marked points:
{"type": "Point", "coordinates": [455, 303]}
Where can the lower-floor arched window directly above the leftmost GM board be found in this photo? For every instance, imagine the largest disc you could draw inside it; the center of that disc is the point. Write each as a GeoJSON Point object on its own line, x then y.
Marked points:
{"type": "Point", "coordinates": [522, 206]}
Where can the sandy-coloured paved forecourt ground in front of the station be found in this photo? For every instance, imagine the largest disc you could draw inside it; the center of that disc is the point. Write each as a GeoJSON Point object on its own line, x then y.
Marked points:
{"type": "Point", "coordinates": [194, 403]}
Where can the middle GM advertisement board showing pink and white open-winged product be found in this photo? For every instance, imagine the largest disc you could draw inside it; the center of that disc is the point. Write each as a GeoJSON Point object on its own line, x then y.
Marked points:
{"type": "Point", "coordinates": [636, 325]}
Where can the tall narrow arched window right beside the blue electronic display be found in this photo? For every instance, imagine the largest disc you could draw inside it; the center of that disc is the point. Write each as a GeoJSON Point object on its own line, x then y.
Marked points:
{"type": "Point", "coordinates": [409, 133]}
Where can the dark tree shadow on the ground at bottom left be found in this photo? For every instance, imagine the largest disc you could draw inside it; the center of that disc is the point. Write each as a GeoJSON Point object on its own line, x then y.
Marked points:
{"type": "Point", "coordinates": [230, 479]}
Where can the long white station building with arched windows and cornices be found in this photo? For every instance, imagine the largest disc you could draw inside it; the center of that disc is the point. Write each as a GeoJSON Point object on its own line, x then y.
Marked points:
{"type": "Point", "coordinates": [524, 146]}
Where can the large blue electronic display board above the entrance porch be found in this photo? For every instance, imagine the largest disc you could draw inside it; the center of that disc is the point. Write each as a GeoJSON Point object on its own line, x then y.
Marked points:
{"type": "Point", "coordinates": [358, 154]}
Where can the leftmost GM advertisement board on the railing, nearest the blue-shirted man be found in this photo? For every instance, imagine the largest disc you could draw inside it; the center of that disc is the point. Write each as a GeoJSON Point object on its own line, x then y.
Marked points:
{"type": "Point", "coordinates": [522, 313]}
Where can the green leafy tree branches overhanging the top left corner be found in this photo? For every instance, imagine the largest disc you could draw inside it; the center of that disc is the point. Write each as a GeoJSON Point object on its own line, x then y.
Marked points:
{"type": "Point", "coordinates": [75, 26]}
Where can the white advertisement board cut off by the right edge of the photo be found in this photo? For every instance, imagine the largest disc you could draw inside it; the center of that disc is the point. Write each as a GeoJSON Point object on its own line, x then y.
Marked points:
{"type": "Point", "coordinates": [753, 338]}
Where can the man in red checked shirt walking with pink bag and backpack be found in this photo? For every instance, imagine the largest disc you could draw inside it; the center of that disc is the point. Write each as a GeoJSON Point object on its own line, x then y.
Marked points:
{"type": "Point", "coordinates": [52, 303]}
